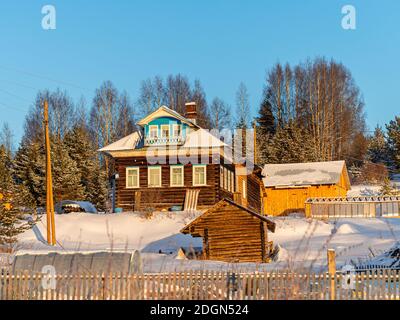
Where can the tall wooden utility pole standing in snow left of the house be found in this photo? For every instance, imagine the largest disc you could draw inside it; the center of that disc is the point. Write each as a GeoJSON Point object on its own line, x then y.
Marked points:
{"type": "Point", "coordinates": [51, 228]}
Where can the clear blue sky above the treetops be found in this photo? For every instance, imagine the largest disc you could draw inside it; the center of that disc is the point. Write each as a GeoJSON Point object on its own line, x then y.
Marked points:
{"type": "Point", "coordinates": [219, 42]}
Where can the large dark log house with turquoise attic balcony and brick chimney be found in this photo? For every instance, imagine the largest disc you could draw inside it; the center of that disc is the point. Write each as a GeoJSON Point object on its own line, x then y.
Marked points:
{"type": "Point", "coordinates": [171, 161]}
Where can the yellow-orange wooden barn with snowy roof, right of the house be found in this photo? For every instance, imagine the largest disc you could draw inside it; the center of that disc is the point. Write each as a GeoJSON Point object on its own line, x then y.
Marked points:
{"type": "Point", "coordinates": [288, 186]}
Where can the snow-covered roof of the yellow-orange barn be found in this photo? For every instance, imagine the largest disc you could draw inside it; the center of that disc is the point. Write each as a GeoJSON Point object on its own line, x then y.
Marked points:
{"type": "Point", "coordinates": [300, 174]}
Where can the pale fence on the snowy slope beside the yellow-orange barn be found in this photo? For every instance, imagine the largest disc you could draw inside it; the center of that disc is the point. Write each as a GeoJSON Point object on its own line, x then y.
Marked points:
{"type": "Point", "coordinates": [353, 207]}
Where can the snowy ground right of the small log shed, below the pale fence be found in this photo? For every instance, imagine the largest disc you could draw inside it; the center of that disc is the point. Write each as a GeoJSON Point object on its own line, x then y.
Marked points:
{"type": "Point", "coordinates": [306, 241]}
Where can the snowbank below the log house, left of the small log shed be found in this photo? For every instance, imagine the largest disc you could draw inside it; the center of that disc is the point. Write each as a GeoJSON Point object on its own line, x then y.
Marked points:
{"type": "Point", "coordinates": [82, 231]}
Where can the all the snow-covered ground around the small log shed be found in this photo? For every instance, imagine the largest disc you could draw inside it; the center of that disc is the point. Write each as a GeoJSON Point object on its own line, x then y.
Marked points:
{"type": "Point", "coordinates": [303, 242]}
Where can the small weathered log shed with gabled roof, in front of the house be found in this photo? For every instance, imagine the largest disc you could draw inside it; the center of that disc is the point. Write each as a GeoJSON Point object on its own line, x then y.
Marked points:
{"type": "Point", "coordinates": [232, 233]}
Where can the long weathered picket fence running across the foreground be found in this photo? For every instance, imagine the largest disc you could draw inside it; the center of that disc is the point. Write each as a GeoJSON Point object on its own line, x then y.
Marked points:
{"type": "Point", "coordinates": [371, 285]}
